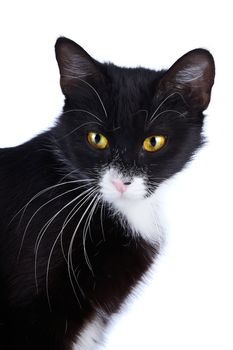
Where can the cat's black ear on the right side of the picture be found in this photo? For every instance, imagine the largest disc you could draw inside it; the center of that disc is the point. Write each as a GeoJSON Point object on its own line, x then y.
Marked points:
{"type": "Point", "coordinates": [192, 76]}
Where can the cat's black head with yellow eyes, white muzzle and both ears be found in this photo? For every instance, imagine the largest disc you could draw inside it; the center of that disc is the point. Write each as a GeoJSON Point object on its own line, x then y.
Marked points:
{"type": "Point", "coordinates": [130, 129]}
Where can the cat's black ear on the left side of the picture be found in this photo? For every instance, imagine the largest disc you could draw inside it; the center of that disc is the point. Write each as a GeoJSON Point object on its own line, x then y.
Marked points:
{"type": "Point", "coordinates": [75, 64]}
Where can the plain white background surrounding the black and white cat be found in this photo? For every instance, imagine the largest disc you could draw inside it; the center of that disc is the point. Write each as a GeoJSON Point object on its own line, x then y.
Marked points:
{"type": "Point", "coordinates": [187, 302]}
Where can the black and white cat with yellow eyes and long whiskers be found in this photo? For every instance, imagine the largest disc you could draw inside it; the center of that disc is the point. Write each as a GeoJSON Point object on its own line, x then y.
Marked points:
{"type": "Point", "coordinates": [78, 225]}
